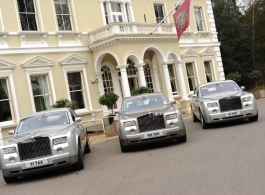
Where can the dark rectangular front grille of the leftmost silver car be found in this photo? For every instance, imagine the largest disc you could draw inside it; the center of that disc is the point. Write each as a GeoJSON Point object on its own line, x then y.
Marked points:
{"type": "Point", "coordinates": [34, 149]}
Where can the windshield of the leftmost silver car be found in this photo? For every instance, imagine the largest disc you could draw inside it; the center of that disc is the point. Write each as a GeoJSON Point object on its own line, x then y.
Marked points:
{"type": "Point", "coordinates": [36, 122]}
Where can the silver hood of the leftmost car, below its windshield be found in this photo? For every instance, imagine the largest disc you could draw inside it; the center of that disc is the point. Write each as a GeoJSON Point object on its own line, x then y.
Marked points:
{"type": "Point", "coordinates": [43, 132]}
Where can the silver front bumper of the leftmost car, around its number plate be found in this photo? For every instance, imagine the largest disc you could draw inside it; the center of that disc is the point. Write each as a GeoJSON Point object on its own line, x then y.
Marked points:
{"type": "Point", "coordinates": [54, 162]}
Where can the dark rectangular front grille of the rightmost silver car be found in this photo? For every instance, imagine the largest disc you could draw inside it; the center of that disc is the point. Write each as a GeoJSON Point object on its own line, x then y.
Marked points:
{"type": "Point", "coordinates": [230, 103]}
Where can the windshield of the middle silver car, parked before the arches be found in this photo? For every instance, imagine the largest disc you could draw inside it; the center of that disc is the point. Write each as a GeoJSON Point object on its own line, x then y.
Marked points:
{"type": "Point", "coordinates": [140, 103]}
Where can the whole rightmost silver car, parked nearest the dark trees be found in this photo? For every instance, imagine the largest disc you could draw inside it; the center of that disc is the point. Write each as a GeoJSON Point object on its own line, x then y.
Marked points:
{"type": "Point", "coordinates": [222, 101]}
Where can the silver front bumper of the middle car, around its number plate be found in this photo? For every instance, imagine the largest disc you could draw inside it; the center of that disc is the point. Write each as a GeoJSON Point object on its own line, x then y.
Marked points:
{"type": "Point", "coordinates": [142, 137]}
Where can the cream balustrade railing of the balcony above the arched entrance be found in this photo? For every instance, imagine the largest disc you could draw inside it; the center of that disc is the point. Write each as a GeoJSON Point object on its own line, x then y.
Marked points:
{"type": "Point", "coordinates": [129, 29]}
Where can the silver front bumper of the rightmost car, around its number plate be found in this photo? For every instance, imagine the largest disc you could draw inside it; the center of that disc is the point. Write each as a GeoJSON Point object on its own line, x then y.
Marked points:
{"type": "Point", "coordinates": [221, 117]}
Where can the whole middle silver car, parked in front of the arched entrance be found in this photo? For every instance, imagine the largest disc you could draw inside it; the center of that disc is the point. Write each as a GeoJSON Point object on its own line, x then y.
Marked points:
{"type": "Point", "coordinates": [149, 118]}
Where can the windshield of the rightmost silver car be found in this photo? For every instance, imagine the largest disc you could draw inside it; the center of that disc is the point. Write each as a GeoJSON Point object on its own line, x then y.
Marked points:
{"type": "Point", "coordinates": [219, 88]}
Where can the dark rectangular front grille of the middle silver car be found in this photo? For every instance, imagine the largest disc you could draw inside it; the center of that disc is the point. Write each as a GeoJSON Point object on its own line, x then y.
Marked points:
{"type": "Point", "coordinates": [150, 122]}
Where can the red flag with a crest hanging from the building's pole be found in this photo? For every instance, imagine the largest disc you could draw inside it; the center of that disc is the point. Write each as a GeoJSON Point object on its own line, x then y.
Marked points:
{"type": "Point", "coordinates": [181, 17]}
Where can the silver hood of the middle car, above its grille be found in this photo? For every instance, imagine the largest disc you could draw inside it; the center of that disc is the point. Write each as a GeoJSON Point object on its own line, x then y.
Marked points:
{"type": "Point", "coordinates": [144, 112]}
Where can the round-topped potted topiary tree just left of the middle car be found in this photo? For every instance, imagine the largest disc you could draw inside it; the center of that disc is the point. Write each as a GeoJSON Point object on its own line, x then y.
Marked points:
{"type": "Point", "coordinates": [109, 99]}
